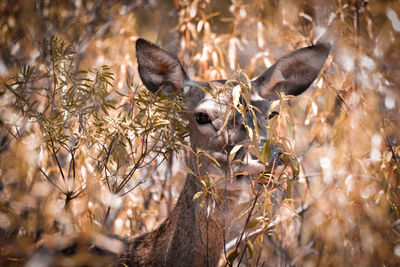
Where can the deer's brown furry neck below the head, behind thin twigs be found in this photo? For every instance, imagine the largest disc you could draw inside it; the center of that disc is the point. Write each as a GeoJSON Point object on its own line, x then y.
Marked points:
{"type": "Point", "coordinates": [188, 237]}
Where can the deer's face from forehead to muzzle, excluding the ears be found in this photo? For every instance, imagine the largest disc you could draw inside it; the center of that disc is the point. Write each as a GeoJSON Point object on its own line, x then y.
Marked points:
{"type": "Point", "coordinates": [216, 127]}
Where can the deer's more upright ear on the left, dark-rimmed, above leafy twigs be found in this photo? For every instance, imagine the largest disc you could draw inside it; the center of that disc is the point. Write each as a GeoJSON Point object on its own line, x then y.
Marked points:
{"type": "Point", "coordinates": [159, 70]}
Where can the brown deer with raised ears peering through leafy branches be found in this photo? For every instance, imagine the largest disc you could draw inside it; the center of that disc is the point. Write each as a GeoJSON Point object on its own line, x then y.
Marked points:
{"type": "Point", "coordinates": [193, 235]}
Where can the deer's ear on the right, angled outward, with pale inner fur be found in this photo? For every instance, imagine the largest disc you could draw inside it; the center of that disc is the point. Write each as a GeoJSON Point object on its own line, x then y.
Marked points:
{"type": "Point", "coordinates": [292, 73]}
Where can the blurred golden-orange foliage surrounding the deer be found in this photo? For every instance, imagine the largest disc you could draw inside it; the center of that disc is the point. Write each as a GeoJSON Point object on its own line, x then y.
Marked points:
{"type": "Point", "coordinates": [85, 150]}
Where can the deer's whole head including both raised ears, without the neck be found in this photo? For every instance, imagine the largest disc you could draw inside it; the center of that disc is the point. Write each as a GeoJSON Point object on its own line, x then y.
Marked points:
{"type": "Point", "coordinates": [215, 126]}
